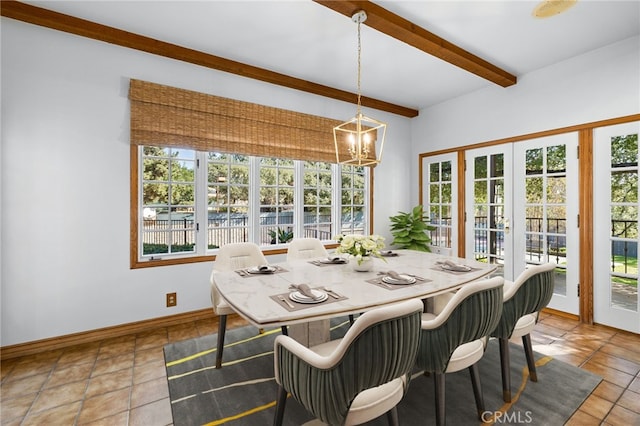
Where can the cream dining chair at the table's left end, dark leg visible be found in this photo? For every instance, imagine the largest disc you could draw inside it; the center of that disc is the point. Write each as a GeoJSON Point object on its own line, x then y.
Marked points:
{"type": "Point", "coordinates": [230, 257]}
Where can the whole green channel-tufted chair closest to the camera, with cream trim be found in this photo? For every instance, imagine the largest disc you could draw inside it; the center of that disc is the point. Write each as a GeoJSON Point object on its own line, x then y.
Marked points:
{"type": "Point", "coordinates": [357, 378]}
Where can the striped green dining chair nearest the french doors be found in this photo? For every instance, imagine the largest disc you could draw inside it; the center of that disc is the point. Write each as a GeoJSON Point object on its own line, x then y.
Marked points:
{"type": "Point", "coordinates": [523, 300]}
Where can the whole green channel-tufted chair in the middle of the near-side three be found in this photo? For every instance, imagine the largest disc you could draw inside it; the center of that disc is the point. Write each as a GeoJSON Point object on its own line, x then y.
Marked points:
{"type": "Point", "coordinates": [456, 338]}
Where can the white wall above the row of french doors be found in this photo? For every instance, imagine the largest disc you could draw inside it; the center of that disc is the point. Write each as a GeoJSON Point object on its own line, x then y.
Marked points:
{"type": "Point", "coordinates": [598, 85]}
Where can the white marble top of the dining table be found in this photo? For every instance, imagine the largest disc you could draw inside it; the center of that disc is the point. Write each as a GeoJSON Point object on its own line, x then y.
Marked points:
{"type": "Point", "coordinates": [250, 296]}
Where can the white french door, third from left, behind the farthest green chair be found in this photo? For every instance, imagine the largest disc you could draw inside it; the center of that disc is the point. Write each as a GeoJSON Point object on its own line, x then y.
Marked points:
{"type": "Point", "coordinates": [545, 228]}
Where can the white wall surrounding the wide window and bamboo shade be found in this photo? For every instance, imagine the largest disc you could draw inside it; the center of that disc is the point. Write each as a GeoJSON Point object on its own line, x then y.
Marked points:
{"type": "Point", "coordinates": [65, 181]}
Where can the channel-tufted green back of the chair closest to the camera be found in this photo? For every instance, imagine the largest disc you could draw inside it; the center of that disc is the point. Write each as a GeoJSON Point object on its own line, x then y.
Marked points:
{"type": "Point", "coordinates": [379, 347]}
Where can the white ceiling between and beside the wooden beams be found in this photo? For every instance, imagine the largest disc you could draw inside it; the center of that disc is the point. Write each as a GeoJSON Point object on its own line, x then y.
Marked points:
{"type": "Point", "coordinates": [306, 40]}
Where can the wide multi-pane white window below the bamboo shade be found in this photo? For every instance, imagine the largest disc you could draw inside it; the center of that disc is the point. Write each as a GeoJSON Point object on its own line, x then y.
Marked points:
{"type": "Point", "coordinates": [190, 202]}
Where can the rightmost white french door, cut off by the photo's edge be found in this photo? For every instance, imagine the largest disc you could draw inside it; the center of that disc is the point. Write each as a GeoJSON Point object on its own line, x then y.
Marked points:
{"type": "Point", "coordinates": [616, 223]}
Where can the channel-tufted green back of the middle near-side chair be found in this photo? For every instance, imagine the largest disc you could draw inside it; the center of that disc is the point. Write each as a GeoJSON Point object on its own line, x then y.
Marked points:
{"type": "Point", "coordinates": [472, 313]}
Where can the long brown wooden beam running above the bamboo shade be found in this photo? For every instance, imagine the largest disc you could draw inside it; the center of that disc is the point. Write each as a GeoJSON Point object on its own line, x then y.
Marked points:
{"type": "Point", "coordinates": [70, 24]}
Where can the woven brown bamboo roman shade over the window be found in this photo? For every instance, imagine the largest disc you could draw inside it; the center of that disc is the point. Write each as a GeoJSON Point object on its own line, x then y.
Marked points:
{"type": "Point", "coordinates": [167, 116]}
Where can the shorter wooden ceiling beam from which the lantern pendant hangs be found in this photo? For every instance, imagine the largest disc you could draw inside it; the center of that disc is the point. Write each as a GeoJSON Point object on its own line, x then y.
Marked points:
{"type": "Point", "coordinates": [399, 28]}
